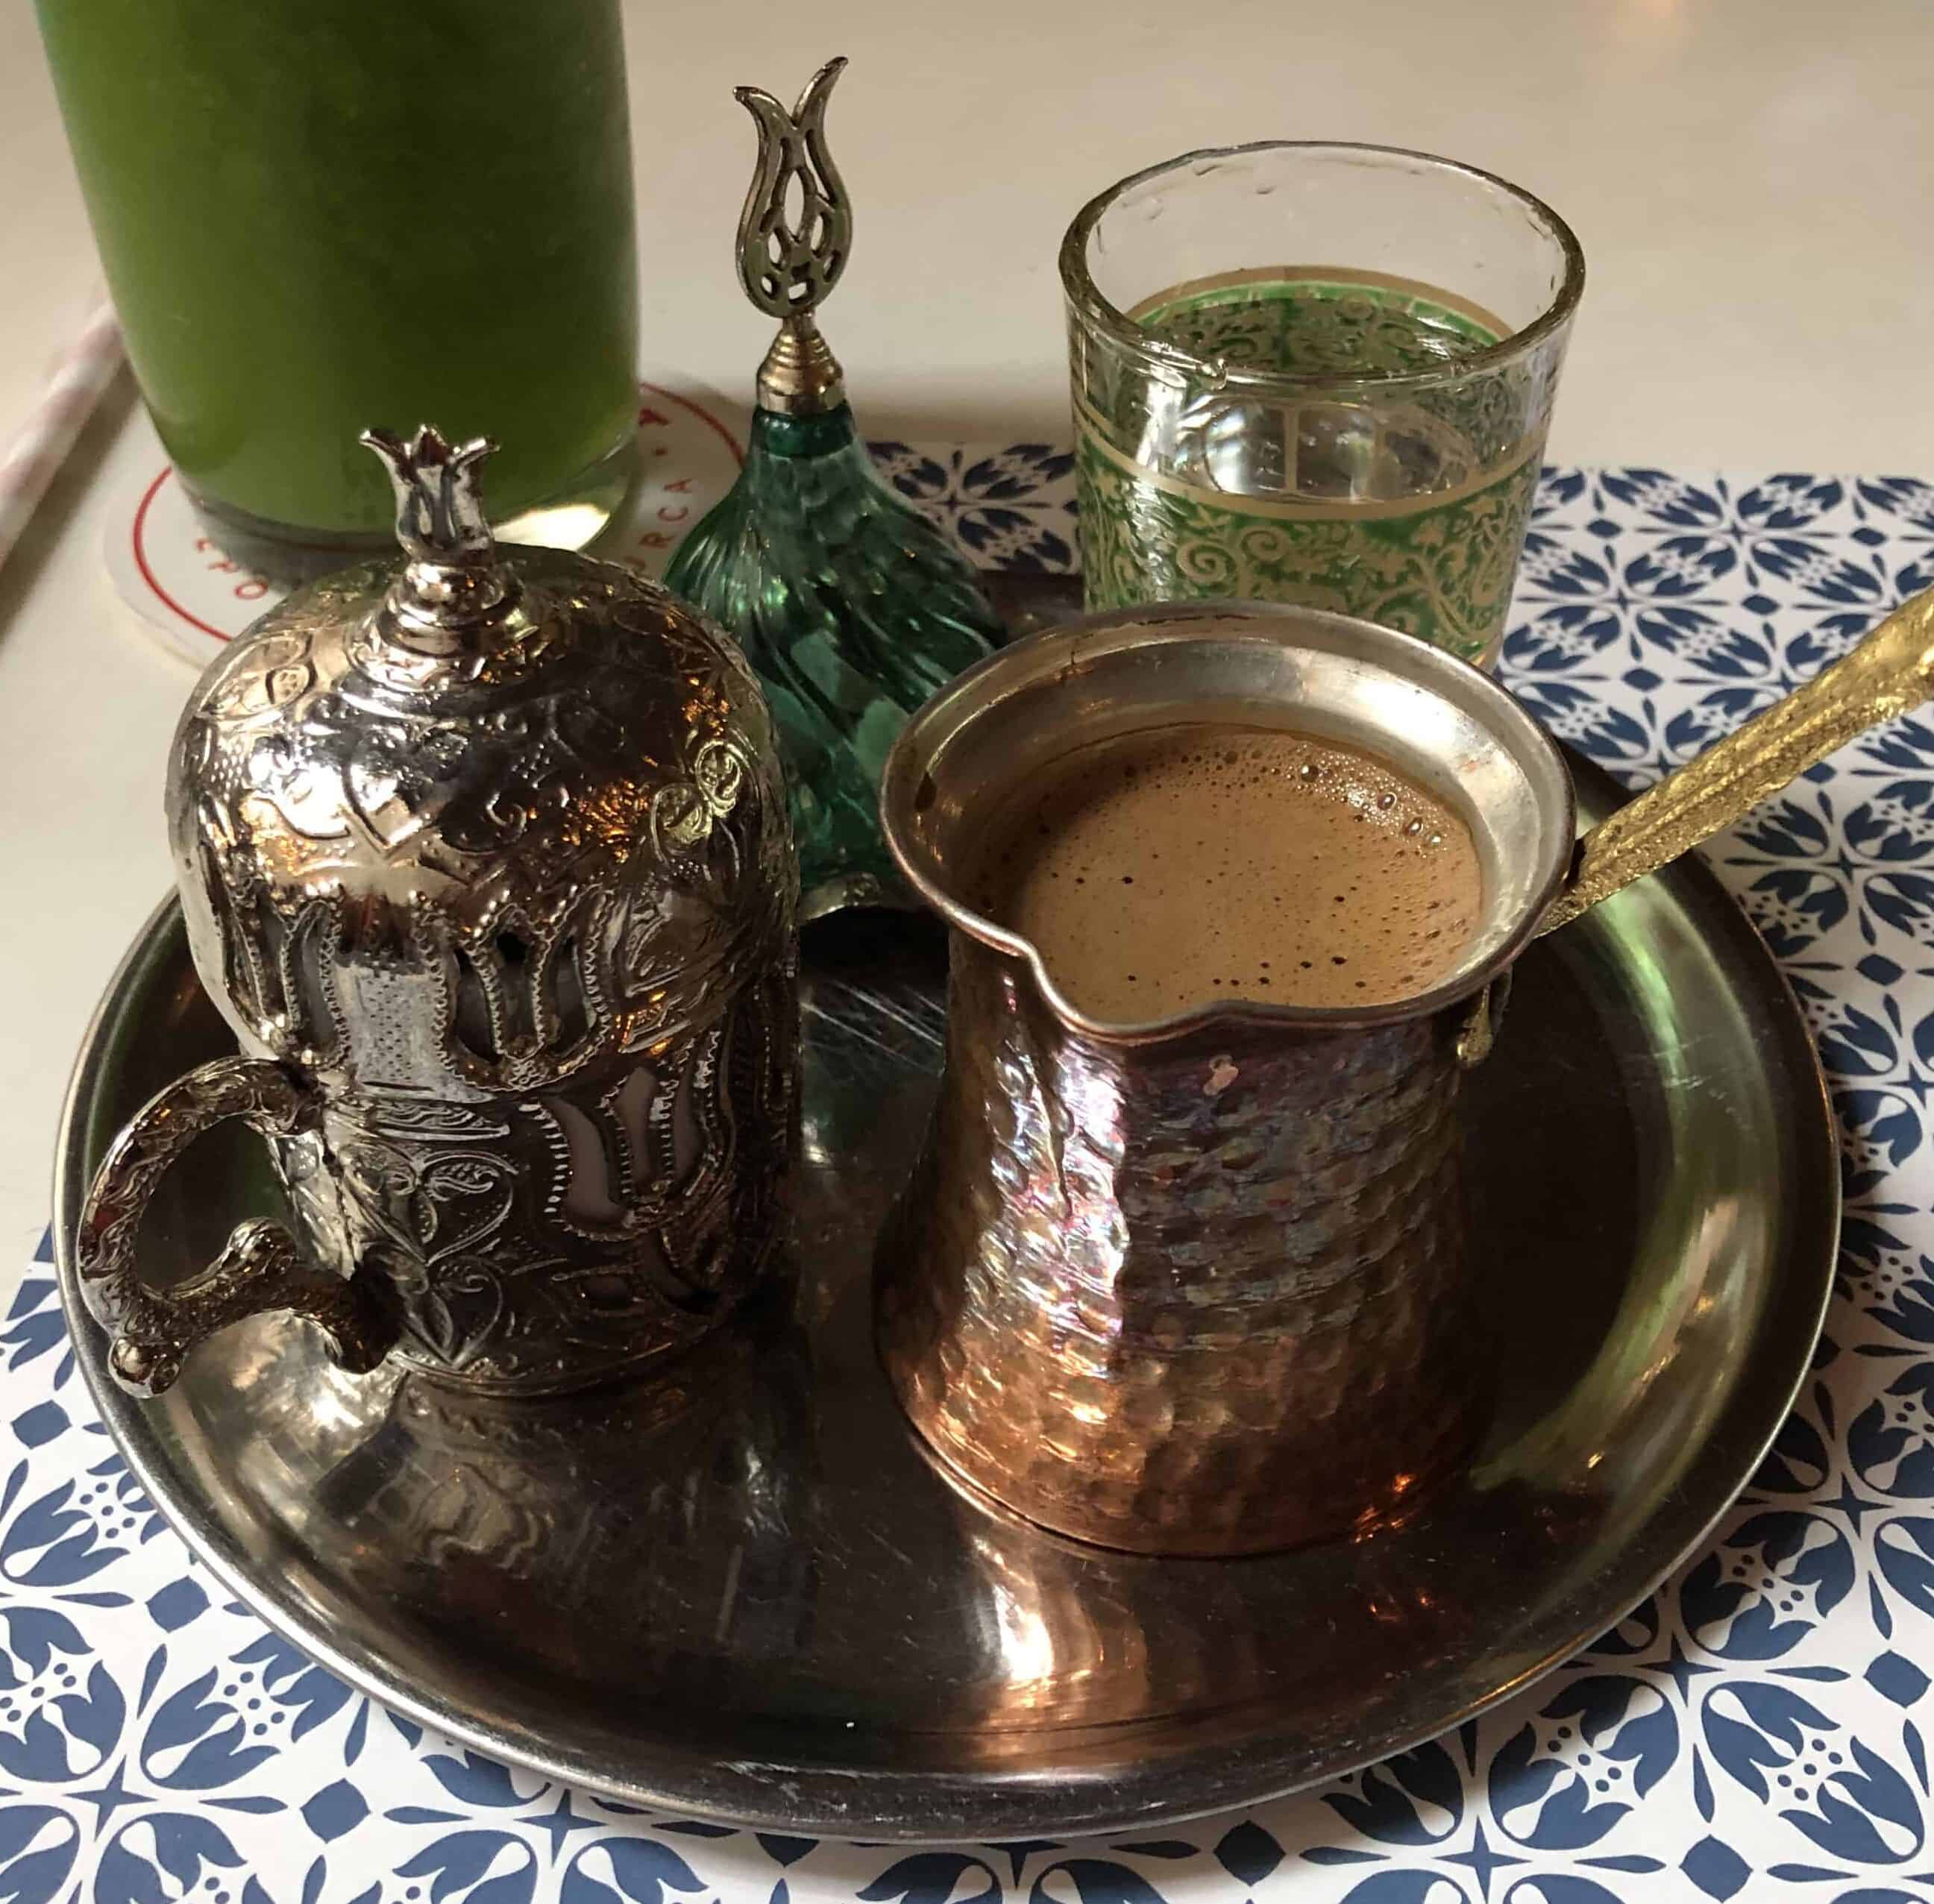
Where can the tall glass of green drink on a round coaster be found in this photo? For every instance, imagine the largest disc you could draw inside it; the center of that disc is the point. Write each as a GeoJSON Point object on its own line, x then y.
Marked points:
{"type": "Point", "coordinates": [326, 216]}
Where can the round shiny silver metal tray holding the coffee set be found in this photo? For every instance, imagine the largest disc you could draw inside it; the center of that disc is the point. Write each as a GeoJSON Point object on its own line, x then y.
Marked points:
{"type": "Point", "coordinates": [742, 1592]}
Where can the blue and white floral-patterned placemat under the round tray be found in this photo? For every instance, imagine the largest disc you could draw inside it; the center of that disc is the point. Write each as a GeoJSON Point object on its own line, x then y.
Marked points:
{"type": "Point", "coordinates": [1757, 1731]}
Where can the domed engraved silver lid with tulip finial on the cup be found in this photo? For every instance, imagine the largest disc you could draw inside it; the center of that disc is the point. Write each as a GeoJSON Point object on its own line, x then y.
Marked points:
{"type": "Point", "coordinates": [473, 821]}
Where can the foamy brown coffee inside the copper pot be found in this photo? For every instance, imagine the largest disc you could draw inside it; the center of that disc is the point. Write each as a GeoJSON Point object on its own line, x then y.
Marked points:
{"type": "Point", "coordinates": [1200, 863]}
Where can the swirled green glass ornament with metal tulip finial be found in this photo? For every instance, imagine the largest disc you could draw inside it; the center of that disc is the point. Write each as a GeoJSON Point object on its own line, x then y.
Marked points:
{"type": "Point", "coordinates": [848, 602]}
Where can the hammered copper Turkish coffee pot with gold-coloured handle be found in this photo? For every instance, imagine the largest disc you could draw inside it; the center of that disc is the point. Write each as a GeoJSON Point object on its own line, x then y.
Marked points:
{"type": "Point", "coordinates": [1196, 1286]}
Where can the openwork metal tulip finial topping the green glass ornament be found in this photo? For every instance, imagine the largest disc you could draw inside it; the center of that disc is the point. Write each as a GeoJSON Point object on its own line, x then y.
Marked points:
{"type": "Point", "coordinates": [792, 256]}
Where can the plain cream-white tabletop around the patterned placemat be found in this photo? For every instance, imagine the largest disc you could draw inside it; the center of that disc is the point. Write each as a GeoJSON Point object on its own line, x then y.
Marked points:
{"type": "Point", "coordinates": [1753, 183]}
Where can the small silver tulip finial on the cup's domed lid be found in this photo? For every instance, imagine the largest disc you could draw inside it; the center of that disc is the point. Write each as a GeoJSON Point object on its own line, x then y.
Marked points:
{"type": "Point", "coordinates": [454, 579]}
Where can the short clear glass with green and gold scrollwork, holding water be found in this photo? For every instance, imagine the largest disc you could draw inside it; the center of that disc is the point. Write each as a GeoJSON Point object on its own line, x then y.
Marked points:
{"type": "Point", "coordinates": [1316, 374]}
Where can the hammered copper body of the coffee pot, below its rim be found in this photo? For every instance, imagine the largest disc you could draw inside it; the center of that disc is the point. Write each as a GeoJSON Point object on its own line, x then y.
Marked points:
{"type": "Point", "coordinates": [1192, 1296]}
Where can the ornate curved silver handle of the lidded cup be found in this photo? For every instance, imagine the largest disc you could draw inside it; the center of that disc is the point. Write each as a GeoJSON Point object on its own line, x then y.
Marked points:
{"type": "Point", "coordinates": [260, 1267]}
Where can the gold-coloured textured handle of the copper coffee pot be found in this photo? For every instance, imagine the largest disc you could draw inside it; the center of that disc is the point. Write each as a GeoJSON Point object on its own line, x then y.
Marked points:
{"type": "Point", "coordinates": [1889, 676]}
